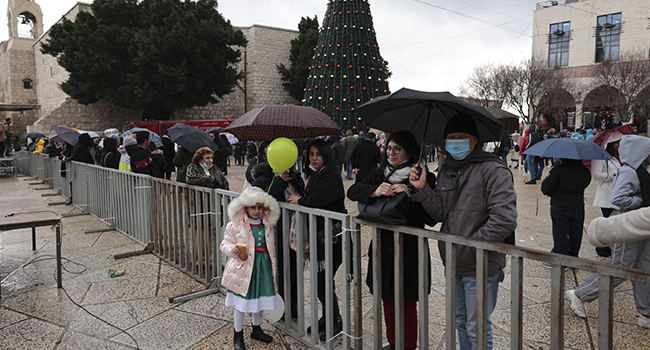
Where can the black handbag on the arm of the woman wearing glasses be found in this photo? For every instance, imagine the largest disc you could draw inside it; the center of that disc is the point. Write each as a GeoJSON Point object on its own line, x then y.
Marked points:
{"type": "Point", "coordinates": [391, 210]}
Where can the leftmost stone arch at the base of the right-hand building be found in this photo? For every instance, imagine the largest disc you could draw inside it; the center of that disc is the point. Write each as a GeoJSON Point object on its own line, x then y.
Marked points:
{"type": "Point", "coordinates": [557, 107]}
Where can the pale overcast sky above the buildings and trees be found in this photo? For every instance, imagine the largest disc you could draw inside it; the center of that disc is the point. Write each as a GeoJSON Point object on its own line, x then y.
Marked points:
{"type": "Point", "coordinates": [429, 44]}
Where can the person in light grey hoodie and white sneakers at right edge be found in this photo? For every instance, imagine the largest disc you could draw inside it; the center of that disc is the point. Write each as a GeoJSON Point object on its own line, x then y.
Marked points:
{"type": "Point", "coordinates": [631, 191]}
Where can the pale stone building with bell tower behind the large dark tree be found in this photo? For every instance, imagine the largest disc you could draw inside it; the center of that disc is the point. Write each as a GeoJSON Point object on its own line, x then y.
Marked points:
{"type": "Point", "coordinates": [31, 77]}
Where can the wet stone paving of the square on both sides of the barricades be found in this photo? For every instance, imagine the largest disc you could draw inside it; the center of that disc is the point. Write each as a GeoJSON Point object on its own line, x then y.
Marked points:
{"type": "Point", "coordinates": [36, 315]}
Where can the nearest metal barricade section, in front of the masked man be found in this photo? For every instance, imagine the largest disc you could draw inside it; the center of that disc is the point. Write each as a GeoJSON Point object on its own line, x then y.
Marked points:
{"type": "Point", "coordinates": [517, 255]}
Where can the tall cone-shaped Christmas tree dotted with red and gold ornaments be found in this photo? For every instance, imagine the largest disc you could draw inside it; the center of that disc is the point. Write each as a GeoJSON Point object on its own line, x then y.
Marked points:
{"type": "Point", "coordinates": [347, 69]}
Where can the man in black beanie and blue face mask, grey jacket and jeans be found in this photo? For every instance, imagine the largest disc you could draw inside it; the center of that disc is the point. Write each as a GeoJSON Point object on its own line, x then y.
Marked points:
{"type": "Point", "coordinates": [474, 197]}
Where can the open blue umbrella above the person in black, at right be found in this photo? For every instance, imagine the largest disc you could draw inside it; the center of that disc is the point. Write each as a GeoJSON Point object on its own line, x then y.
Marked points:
{"type": "Point", "coordinates": [567, 148]}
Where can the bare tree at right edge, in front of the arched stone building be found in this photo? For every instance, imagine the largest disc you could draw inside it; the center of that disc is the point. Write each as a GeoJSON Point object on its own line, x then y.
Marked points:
{"type": "Point", "coordinates": [620, 84]}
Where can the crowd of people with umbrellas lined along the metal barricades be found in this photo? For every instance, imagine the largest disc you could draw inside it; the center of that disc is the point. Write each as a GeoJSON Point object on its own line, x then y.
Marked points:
{"type": "Point", "coordinates": [470, 193]}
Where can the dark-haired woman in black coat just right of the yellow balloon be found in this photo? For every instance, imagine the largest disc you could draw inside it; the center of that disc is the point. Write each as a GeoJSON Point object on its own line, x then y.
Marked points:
{"type": "Point", "coordinates": [324, 190]}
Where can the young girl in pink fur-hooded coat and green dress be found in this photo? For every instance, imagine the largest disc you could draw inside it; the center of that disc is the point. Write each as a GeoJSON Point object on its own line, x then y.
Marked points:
{"type": "Point", "coordinates": [249, 242]}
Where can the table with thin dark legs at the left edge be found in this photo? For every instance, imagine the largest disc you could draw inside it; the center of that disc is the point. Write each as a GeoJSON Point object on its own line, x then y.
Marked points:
{"type": "Point", "coordinates": [18, 213]}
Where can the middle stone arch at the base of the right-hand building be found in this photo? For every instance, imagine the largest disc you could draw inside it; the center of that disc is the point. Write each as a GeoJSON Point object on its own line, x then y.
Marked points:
{"type": "Point", "coordinates": [599, 106]}
